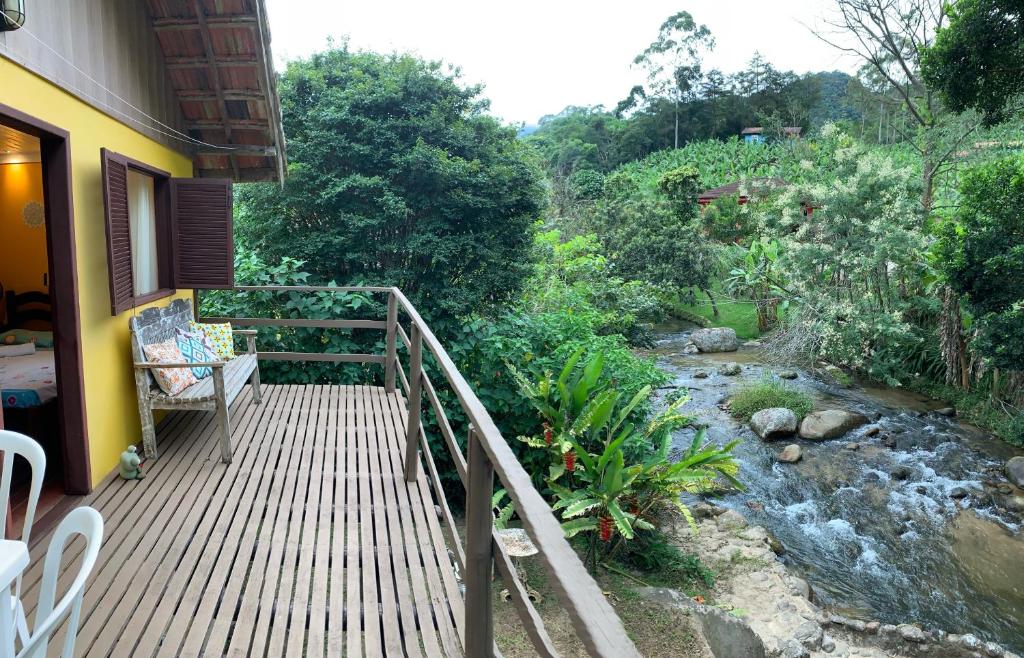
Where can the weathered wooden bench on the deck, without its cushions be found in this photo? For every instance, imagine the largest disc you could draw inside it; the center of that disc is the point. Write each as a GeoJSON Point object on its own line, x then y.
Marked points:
{"type": "Point", "coordinates": [215, 393]}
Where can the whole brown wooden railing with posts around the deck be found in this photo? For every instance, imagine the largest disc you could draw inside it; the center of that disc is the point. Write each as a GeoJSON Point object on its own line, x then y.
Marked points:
{"type": "Point", "coordinates": [488, 456]}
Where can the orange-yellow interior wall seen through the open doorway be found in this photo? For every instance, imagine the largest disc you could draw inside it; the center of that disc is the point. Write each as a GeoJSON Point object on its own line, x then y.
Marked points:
{"type": "Point", "coordinates": [23, 249]}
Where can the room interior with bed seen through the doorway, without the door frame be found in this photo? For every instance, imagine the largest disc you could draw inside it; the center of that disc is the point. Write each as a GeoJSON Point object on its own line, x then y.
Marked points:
{"type": "Point", "coordinates": [28, 373]}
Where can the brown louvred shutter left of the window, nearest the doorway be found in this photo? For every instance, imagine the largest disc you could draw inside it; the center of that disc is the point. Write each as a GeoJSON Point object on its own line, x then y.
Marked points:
{"type": "Point", "coordinates": [118, 232]}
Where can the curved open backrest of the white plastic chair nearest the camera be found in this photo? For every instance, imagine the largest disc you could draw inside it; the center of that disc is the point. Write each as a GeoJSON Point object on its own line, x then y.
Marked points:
{"type": "Point", "coordinates": [89, 523]}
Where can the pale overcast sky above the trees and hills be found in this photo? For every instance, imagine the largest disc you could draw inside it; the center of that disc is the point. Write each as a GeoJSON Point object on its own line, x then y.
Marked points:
{"type": "Point", "coordinates": [536, 58]}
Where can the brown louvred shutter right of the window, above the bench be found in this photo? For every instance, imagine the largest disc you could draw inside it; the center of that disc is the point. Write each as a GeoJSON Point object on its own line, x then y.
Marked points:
{"type": "Point", "coordinates": [202, 233]}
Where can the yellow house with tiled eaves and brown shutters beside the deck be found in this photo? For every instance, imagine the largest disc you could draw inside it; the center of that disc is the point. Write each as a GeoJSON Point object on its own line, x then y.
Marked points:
{"type": "Point", "coordinates": [123, 125]}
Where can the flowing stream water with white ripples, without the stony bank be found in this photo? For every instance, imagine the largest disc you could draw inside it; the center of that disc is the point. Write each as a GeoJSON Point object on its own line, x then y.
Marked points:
{"type": "Point", "coordinates": [876, 531]}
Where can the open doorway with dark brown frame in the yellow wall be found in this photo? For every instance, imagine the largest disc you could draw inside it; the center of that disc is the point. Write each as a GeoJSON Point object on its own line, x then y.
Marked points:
{"type": "Point", "coordinates": [40, 352]}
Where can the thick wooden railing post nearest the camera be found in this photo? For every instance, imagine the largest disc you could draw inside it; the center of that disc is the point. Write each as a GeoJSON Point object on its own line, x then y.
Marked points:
{"type": "Point", "coordinates": [480, 559]}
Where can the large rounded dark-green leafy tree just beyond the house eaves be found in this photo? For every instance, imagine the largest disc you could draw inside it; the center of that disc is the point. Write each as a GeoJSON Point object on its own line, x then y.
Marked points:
{"type": "Point", "coordinates": [398, 177]}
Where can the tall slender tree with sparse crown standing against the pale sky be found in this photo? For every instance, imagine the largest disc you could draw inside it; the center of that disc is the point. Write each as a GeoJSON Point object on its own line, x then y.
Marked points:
{"type": "Point", "coordinates": [673, 63]}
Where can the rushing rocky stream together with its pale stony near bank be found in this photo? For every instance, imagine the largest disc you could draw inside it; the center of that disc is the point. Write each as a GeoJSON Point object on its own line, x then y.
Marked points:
{"type": "Point", "coordinates": [906, 524]}
